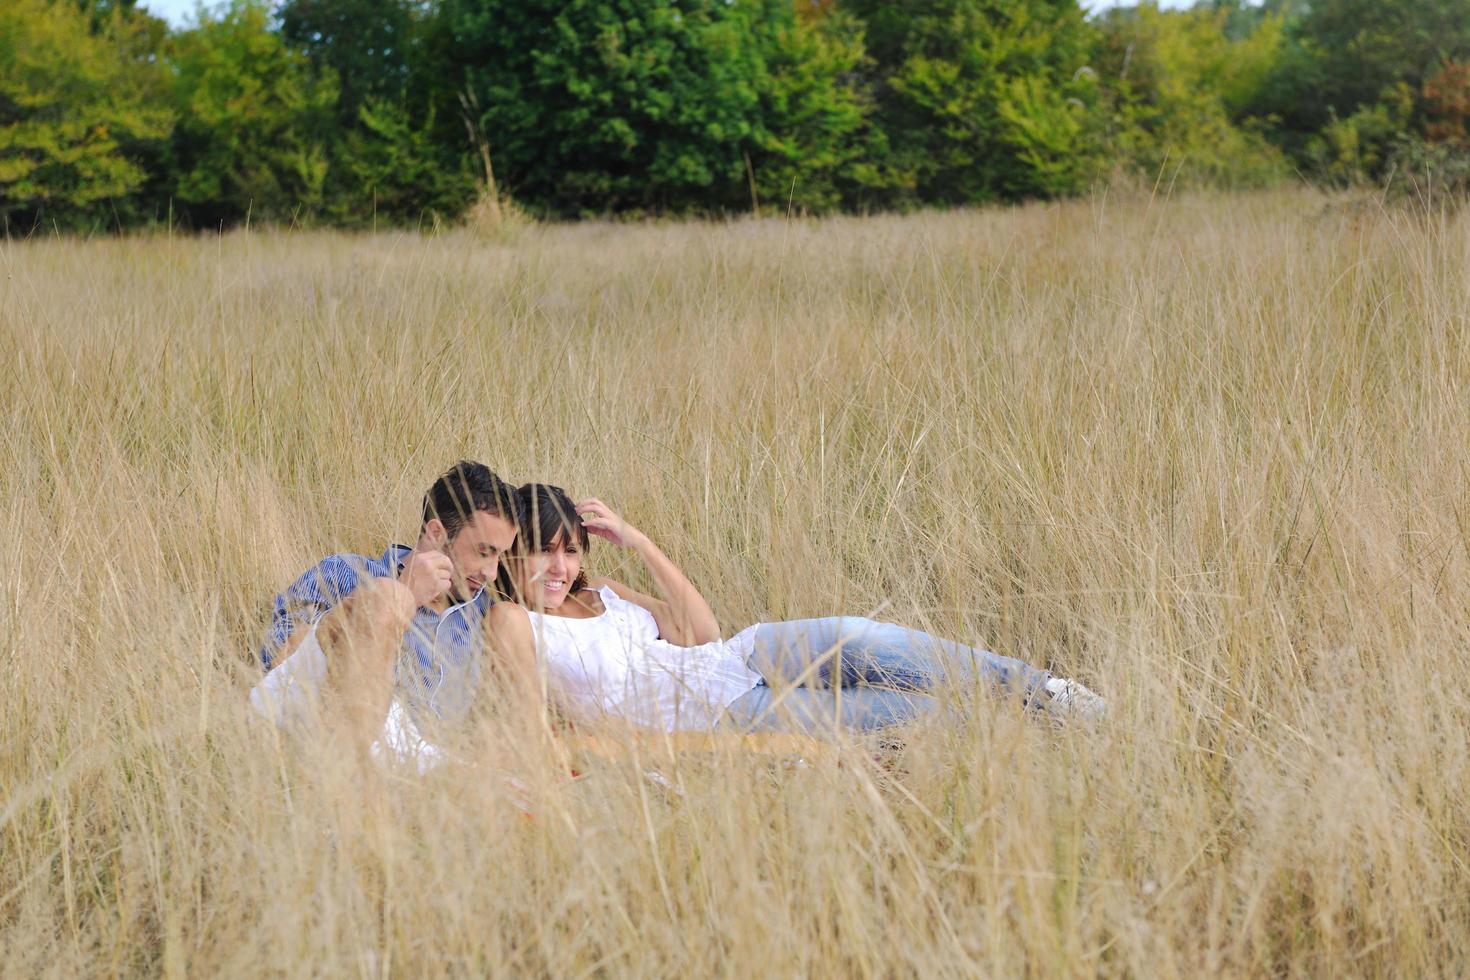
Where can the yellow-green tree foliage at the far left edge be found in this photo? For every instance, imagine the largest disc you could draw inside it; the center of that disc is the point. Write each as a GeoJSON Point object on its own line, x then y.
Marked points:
{"type": "Point", "coordinates": [79, 112]}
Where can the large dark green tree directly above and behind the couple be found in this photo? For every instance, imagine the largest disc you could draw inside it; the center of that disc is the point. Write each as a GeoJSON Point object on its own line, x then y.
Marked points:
{"type": "Point", "coordinates": [611, 105]}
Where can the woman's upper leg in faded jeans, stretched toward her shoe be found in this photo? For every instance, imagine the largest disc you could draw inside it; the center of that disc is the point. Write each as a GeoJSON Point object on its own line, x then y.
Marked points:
{"type": "Point", "coordinates": [849, 652]}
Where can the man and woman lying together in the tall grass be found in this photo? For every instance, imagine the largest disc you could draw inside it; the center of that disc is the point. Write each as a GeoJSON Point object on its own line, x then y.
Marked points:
{"type": "Point", "coordinates": [496, 597]}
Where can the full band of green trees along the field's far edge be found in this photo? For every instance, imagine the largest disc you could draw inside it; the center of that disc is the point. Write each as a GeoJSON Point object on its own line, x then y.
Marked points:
{"type": "Point", "coordinates": [402, 112]}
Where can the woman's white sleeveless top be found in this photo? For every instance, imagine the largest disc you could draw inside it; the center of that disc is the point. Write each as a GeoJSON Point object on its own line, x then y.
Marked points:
{"type": "Point", "coordinates": [615, 666]}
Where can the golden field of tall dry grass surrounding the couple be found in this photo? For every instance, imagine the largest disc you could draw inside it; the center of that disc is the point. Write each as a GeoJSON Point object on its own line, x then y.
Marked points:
{"type": "Point", "coordinates": [1206, 456]}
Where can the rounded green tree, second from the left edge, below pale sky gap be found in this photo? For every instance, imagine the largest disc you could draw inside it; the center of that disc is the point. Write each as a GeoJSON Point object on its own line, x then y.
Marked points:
{"type": "Point", "coordinates": [255, 121]}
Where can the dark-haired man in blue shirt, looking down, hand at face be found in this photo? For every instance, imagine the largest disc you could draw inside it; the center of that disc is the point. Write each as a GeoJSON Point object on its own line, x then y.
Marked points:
{"type": "Point", "coordinates": [352, 625]}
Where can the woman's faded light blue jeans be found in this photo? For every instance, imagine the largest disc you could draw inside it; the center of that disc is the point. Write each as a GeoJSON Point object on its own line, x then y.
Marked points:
{"type": "Point", "coordinates": [858, 674]}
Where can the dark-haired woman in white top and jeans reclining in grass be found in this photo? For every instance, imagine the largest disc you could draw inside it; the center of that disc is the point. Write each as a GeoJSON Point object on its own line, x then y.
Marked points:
{"type": "Point", "coordinates": [611, 653]}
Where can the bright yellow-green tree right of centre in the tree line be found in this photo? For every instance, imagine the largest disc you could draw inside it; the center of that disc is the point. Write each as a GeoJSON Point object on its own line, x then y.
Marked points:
{"type": "Point", "coordinates": [1181, 90]}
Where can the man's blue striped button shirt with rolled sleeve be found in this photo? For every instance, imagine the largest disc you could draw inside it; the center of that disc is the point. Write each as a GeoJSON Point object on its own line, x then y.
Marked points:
{"type": "Point", "coordinates": [439, 666]}
